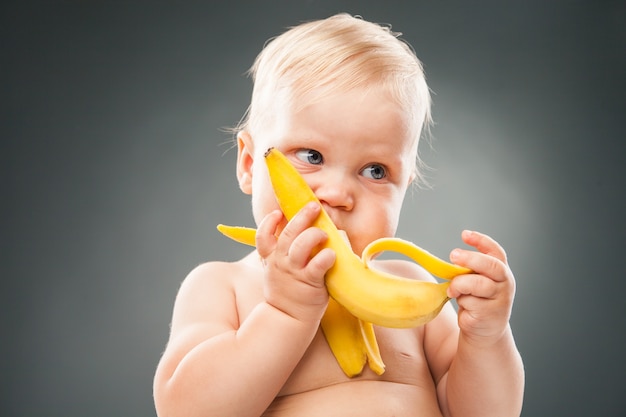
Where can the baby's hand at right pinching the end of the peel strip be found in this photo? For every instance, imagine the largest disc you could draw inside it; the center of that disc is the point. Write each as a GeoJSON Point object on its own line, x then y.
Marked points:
{"type": "Point", "coordinates": [485, 298]}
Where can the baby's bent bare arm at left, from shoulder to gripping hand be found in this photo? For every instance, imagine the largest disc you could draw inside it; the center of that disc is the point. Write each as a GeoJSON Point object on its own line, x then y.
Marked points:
{"type": "Point", "coordinates": [214, 365]}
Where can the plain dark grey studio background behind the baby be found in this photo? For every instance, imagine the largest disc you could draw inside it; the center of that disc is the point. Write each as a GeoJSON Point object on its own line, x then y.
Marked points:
{"type": "Point", "coordinates": [116, 171]}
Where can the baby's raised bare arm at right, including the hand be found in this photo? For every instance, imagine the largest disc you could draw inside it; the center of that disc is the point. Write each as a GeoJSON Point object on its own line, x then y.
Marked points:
{"type": "Point", "coordinates": [485, 375]}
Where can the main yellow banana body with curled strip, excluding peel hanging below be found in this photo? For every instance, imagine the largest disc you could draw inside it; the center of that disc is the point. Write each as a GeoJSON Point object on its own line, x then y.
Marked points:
{"type": "Point", "coordinates": [372, 296]}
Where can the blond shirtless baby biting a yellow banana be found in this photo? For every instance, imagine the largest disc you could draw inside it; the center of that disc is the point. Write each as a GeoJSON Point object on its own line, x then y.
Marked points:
{"type": "Point", "coordinates": [346, 101]}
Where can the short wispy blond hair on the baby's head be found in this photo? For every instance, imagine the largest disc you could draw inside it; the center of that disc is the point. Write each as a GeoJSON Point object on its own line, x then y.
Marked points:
{"type": "Point", "coordinates": [332, 55]}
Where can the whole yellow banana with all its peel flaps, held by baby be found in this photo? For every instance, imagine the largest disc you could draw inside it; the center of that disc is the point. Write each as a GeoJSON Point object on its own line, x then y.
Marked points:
{"type": "Point", "coordinates": [360, 296]}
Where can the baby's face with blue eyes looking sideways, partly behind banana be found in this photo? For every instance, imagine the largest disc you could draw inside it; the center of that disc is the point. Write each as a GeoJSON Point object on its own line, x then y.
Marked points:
{"type": "Point", "coordinates": [354, 150]}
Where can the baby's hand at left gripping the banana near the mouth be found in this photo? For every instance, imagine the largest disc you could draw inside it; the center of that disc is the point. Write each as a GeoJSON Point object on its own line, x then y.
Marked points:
{"type": "Point", "coordinates": [293, 278]}
